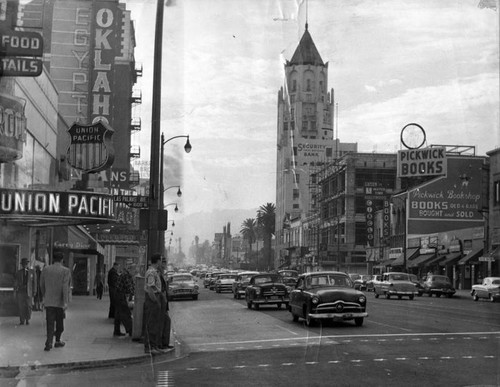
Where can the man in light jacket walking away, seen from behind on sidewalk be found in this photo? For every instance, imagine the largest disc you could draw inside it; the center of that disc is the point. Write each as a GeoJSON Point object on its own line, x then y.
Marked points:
{"type": "Point", "coordinates": [55, 283]}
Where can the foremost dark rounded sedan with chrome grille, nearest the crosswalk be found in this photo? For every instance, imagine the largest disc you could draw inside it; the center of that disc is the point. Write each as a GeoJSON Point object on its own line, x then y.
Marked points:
{"type": "Point", "coordinates": [327, 295]}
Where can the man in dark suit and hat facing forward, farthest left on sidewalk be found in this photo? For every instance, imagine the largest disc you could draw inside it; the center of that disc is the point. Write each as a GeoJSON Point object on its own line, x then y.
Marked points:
{"type": "Point", "coordinates": [24, 288]}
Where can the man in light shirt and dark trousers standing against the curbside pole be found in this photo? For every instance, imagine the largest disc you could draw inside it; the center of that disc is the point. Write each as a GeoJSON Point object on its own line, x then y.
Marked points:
{"type": "Point", "coordinates": [152, 307]}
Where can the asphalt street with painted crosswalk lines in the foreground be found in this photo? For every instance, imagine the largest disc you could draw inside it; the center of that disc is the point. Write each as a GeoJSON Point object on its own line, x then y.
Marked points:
{"type": "Point", "coordinates": [424, 342]}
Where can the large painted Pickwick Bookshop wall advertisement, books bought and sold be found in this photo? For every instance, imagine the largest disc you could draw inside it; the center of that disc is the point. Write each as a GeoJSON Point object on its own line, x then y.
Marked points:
{"type": "Point", "coordinates": [451, 202]}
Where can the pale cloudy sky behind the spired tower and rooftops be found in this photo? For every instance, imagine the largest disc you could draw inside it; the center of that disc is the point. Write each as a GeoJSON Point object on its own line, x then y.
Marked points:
{"type": "Point", "coordinates": [391, 62]}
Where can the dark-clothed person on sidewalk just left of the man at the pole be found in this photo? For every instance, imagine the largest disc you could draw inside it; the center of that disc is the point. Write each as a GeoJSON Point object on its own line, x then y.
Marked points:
{"type": "Point", "coordinates": [124, 292]}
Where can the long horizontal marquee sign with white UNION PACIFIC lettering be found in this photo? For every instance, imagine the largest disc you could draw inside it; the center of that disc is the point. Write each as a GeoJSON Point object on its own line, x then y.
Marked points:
{"type": "Point", "coordinates": [15, 203]}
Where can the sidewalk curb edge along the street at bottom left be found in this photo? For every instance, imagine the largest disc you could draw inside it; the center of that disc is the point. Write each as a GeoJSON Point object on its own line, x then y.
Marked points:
{"type": "Point", "coordinates": [13, 371]}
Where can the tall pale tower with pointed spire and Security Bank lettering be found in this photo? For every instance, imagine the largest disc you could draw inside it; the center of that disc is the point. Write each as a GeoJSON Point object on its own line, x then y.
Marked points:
{"type": "Point", "coordinates": [305, 138]}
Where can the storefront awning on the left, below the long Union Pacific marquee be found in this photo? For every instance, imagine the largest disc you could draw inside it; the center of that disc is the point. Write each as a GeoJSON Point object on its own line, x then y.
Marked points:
{"type": "Point", "coordinates": [76, 238]}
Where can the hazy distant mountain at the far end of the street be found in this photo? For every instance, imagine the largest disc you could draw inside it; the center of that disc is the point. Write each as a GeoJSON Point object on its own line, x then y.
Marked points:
{"type": "Point", "coordinates": [206, 224]}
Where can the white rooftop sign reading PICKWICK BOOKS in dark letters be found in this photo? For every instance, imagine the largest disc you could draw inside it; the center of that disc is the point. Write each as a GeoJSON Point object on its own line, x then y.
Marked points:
{"type": "Point", "coordinates": [422, 162]}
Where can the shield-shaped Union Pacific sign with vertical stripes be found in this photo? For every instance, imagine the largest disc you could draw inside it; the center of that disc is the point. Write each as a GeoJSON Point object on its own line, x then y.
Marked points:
{"type": "Point", "coordinates": [91, 149]}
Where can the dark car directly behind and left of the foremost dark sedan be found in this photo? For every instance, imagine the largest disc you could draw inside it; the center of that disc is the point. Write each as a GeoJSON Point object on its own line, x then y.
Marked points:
{"type": "Point", "coordinates": [266, 289]}
